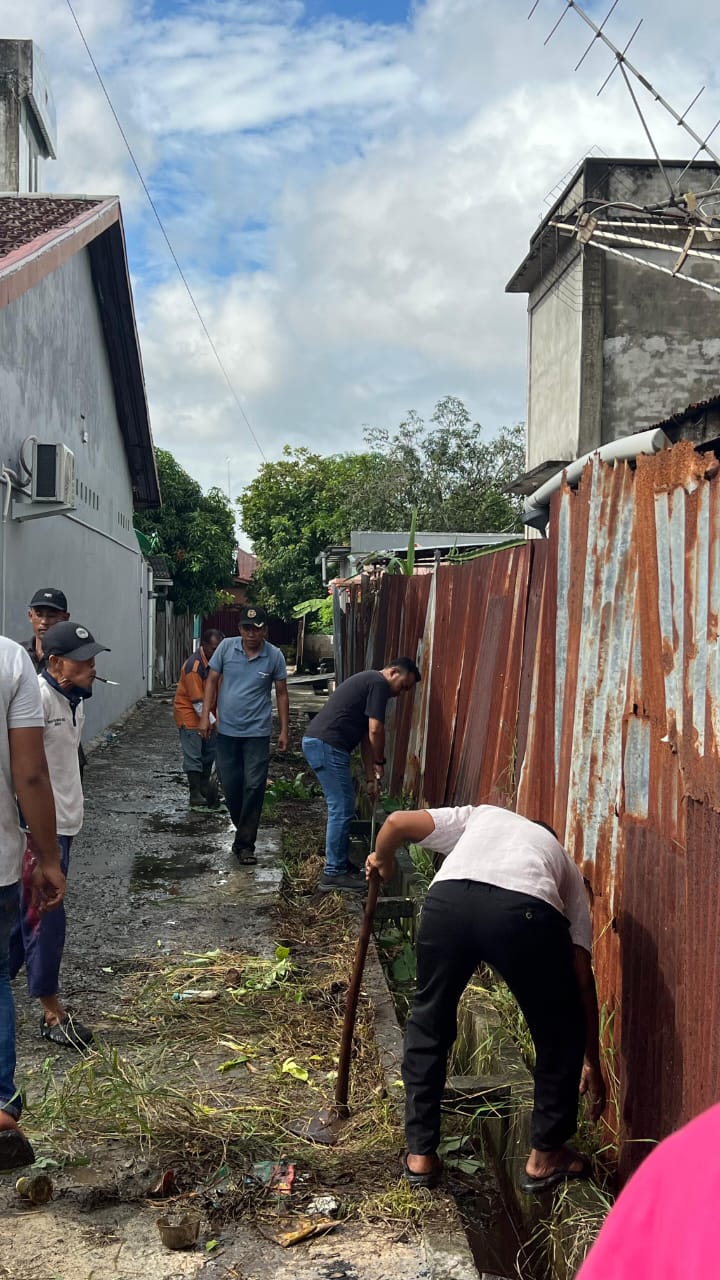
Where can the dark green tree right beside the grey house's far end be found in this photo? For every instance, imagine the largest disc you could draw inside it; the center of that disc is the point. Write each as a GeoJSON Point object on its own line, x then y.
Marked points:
{"type": "Point", "coordinates": [197, 536]}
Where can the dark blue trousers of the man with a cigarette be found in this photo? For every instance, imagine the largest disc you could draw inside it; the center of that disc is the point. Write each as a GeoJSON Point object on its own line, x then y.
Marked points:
{"type": "Point", "coordinates": [39, 941]}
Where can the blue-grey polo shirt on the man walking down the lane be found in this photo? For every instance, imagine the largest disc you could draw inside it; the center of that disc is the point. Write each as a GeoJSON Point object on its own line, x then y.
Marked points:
{"type": "Point", "coordinates": [245, 707]}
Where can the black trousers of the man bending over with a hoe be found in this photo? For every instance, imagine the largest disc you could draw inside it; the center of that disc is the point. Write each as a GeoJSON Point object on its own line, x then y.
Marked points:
{"type": "Point", "coordinates": [528, 943]}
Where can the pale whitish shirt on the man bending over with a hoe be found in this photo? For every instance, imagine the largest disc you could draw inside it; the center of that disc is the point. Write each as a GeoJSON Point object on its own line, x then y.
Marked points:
{"type": "Point", "coordinates": [498, 847]}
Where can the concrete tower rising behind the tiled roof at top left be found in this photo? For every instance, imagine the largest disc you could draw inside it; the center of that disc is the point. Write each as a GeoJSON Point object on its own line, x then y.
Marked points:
{"type": "Point", "coordinates": [28, 116]}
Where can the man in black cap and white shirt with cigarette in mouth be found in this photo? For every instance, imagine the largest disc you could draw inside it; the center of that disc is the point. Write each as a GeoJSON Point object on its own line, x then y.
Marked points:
{"type": "Point", "coordinates": [39, 940]}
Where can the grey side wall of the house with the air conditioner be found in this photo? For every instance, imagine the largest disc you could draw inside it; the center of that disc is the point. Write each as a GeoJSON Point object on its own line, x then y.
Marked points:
{"type": "Point", "coordinates": [56, 383]}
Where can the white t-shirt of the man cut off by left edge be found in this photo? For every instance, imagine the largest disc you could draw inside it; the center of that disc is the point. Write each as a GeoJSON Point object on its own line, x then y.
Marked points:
{"type": "Point", "coordinates": [21, 708]}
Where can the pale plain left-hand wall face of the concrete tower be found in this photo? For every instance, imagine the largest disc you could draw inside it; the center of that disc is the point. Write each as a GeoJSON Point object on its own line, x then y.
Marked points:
{"type": "Point", "coordinates": [554, 360]}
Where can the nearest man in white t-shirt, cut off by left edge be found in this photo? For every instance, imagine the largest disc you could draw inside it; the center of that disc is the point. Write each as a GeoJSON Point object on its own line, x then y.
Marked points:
{"type": "Point", "coordinates": [24, 774]}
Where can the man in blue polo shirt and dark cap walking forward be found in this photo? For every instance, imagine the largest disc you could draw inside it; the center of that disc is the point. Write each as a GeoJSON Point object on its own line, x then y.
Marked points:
{"type": "Point", "coordinates": [249, 669]}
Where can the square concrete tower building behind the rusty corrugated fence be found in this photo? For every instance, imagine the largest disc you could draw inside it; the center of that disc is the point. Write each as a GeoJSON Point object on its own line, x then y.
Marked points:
{"type": "Point", "coordinates": [613, 346]}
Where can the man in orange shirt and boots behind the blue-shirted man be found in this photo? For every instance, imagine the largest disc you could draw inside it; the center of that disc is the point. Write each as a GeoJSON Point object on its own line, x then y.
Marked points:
{"type": "Point", "coordinates": [198, 753]}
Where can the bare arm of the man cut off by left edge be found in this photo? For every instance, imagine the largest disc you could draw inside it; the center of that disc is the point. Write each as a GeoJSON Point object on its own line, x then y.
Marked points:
{"type": "Point", "coordinates": [31, 781]}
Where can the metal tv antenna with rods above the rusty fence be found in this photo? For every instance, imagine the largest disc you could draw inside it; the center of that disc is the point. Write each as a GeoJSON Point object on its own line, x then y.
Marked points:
{"type": "Point", "coordinates": [682, 228]}
